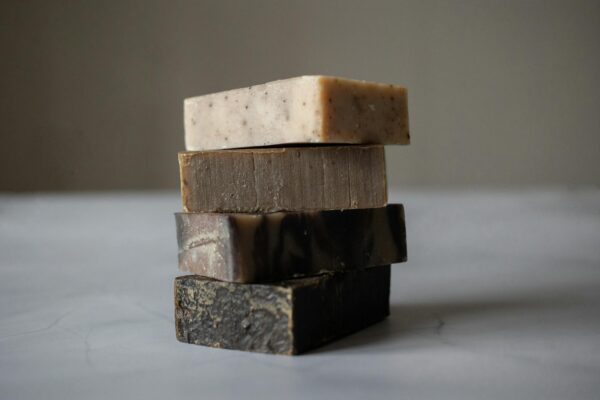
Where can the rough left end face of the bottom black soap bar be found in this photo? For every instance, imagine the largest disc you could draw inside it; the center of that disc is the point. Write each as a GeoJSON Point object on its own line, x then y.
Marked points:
{"type": "Point", "coordinates": [217, 314]}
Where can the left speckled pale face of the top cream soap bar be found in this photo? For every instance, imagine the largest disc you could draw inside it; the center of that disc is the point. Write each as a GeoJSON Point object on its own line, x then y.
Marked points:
{"type": "Point", "coordinates": [285, 111]}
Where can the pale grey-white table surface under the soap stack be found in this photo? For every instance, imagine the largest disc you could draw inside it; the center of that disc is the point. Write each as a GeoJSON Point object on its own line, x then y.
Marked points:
{"type": "Point", "coordinates": [500, 299]}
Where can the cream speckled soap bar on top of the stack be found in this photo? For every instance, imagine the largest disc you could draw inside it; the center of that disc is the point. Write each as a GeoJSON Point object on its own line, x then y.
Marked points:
{"type": "Point", "coordinates": [306, 109]}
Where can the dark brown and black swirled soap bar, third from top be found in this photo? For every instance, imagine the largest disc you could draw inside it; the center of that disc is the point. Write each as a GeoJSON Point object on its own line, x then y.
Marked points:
{"type": "Point", "coordinates": [277, 246]}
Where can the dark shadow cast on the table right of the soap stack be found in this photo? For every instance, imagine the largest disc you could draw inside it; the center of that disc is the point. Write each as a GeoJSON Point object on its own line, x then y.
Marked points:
{"type": "Point", "coordinates": [428, 320]}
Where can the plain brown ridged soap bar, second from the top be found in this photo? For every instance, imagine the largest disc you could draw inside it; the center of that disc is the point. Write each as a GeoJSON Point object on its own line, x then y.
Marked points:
{"type": "Point", "coordinates": [275, 179]}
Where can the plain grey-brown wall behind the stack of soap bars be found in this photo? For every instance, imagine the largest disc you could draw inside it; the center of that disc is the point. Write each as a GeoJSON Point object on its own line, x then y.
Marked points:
{"type": "Point", "coordinates": [500, 92]}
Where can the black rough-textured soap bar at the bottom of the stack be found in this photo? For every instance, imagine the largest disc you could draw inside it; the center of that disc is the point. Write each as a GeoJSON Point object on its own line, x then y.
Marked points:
{"type": "Point", "coordinates": [287, 317]}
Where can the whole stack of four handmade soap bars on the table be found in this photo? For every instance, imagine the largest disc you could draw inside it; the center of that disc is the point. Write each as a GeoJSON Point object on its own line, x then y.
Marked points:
{"type": "Point", "coordinates": [286, 234]}
